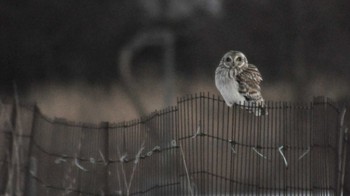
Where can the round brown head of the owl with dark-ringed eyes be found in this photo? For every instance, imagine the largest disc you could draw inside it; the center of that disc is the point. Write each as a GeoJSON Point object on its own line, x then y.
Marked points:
{"type": "Point", "coordinates": [234, 59]}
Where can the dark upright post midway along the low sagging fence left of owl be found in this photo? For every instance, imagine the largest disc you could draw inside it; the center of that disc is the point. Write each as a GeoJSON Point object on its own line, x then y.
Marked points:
{"type": "Point", "coordinates": [105, 127]}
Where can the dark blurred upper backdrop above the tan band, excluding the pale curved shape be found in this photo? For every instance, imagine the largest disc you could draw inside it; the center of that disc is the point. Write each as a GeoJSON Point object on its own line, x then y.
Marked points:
{"type": "Point", "coordinates": [65, 41]}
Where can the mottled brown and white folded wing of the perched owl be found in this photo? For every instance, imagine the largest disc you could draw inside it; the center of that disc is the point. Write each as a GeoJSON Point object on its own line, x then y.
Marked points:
{"type": "Point", "coordinates": [249, 83]}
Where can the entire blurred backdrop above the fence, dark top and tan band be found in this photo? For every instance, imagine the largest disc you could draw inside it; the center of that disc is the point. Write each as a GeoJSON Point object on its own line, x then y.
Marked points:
{"type": "Point", "coordinates": [114, 60]}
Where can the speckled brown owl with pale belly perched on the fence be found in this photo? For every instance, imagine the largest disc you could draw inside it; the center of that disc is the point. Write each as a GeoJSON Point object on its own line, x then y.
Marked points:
{"type": "Point", "coordinates": [239, 82]}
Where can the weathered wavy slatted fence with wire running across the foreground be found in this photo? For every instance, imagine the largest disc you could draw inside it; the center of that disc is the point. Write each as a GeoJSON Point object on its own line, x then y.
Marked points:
{"type": "Point", "coordinates": [199, 147]}
